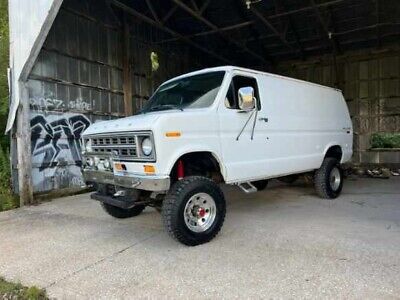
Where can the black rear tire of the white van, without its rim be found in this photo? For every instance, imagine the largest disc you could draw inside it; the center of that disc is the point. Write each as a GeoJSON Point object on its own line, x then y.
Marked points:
{"type": "Point", "coordinates": [322, 179]}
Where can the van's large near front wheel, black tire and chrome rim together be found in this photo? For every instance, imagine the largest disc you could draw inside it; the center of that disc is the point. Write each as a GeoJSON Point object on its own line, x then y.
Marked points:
{"type": "Point", "coordinates": [194, 210]}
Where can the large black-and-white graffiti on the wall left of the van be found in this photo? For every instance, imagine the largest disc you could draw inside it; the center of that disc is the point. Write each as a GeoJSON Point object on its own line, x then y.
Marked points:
{"type": "Point", "coordinates": [56, 149]}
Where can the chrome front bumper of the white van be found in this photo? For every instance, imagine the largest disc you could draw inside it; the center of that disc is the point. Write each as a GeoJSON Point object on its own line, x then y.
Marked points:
{"type": "Point", "coordinates": [155, 183]}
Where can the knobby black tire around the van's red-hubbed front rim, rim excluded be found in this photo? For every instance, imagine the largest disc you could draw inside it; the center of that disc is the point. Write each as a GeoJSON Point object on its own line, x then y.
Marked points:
{"type": "Point", "coordinates": [174, 206]}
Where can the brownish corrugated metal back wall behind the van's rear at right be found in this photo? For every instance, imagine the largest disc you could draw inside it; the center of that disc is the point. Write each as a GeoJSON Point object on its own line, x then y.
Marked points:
{"type": "Point", "coordinates": [370, 81]}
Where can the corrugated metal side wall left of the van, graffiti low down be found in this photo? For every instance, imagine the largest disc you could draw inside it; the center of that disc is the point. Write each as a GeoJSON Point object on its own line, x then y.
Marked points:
{"type": "Point", "coordinates": [78, 80]}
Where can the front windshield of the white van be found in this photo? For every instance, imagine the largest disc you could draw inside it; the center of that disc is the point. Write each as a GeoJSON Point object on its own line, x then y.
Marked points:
{"type": "Point", "coordinates": [196, 91]}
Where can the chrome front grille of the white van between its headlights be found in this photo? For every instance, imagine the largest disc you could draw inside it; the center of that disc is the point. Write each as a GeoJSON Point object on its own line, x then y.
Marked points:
{"type": "Point", "coordinates": [120, 147]}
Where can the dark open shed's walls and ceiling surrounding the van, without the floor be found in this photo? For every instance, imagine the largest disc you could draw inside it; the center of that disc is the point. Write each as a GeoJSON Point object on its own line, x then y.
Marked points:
{"type": "Point", "coordinates": [100, 60]}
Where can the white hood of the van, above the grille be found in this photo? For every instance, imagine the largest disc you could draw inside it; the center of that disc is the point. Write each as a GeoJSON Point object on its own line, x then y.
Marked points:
{"type": "Point", "coordinates": [132, 123]}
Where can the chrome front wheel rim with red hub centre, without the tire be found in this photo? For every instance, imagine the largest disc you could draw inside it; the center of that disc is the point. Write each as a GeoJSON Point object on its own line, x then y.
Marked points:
{"type": "Point", "coordinates": [200, 212]}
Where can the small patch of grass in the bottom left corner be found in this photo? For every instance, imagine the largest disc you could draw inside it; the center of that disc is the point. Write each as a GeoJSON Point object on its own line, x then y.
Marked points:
{"type": "Point", "coordinates": [16, 291]}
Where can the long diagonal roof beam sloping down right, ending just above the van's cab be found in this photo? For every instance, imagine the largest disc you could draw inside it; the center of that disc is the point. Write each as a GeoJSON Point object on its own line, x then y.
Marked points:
{"type": "Point", "coordinates": [162, 27]}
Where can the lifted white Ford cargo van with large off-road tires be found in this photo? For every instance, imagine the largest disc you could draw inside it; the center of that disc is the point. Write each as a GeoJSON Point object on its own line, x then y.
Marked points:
{"type": "Point", "coordinates": [219, 125]}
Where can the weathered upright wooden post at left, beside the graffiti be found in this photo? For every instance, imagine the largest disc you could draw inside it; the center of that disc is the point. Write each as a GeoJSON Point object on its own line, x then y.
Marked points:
{"type": "Point", "coordinates": [24, 148]}
